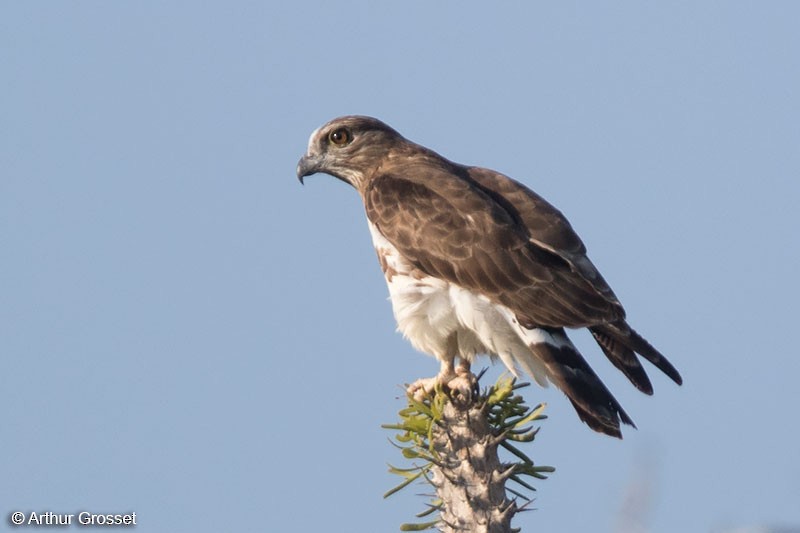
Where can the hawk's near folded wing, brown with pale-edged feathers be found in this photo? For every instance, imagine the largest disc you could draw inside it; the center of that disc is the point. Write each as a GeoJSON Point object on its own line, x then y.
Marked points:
{"type": "Point", "coordinates": [452, 226]}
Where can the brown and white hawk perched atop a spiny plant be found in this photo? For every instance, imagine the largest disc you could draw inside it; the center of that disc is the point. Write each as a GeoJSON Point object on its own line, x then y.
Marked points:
{"type": "Point", "coordinates": [477, 263]}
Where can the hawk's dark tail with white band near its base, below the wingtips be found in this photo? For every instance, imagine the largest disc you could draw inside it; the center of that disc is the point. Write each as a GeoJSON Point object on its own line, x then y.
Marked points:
{"type": "Point", "coordinates": [570, 372]}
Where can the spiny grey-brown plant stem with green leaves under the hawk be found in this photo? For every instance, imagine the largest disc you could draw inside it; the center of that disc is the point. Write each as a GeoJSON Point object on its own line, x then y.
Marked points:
{"type": "Point", "coordinates": [454, 444]}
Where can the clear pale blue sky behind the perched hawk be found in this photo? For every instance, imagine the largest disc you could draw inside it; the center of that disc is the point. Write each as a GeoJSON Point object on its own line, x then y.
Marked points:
{"type": "Point", "coordinates": [188, 333]}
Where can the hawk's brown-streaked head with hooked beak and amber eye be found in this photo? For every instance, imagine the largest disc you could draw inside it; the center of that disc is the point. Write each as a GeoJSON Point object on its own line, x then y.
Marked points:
{"type": "Point", "coordinates": [348, 148]}
